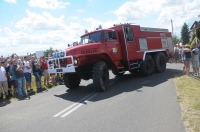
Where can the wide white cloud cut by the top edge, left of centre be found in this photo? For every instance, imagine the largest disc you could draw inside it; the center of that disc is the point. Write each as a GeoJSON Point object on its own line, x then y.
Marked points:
{"type": "Point", "coordinates": [48, 4]}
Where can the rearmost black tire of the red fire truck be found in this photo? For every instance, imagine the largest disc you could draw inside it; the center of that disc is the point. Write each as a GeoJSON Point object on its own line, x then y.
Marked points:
{"type": "Point", "coordinates": [160, 62]}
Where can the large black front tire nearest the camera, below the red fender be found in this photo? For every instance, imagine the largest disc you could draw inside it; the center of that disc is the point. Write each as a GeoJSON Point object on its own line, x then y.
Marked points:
{"type": "Point", "coordinates": [100, 76]}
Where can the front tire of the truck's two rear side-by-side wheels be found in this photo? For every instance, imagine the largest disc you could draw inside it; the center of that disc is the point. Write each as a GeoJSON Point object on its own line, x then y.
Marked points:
{"type": "Point", "coordinates": [147, 66]}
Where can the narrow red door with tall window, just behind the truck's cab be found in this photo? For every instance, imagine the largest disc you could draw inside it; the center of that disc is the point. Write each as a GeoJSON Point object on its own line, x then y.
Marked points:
{"type": "Point", "coordinates": [130, 44]}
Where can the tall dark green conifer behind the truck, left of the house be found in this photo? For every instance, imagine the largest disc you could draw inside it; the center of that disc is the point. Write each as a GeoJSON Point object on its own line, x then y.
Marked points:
{"type": "Point", "coordinates": [185, 35]}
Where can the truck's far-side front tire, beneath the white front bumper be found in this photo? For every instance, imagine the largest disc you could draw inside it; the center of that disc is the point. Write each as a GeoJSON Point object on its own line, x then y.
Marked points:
{"type": "Point", "coordinates": [71, 80]}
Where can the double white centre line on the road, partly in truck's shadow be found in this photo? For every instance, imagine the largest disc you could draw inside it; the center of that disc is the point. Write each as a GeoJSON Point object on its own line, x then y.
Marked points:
{"type": "Point", "coordinates": [80, 103]}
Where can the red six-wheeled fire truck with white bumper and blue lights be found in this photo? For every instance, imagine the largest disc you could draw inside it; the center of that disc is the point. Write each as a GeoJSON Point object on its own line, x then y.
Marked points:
{"type": "Point", "coordinates": [123, 47]}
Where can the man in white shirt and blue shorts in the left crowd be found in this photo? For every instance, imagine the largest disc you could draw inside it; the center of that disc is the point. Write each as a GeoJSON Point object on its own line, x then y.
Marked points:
{"type": "Point", "coordinates": [27, 73]}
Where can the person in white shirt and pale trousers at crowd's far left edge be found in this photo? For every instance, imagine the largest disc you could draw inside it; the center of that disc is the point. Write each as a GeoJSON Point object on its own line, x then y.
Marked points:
{"type": "Point", "coordinates": [3, 81]}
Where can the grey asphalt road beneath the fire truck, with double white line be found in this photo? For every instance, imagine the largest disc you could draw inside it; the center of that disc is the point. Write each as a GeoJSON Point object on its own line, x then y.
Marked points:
{"type": "Point", "coordinates": [131, 104]}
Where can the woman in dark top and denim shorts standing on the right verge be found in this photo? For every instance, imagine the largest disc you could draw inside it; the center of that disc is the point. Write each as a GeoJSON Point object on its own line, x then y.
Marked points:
{"type": "Point", "coordinates": [187, 57]}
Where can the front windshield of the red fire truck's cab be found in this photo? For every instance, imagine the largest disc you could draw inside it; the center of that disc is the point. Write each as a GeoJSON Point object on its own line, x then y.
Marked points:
{"type": "Point", "coordinates": [92, 38]}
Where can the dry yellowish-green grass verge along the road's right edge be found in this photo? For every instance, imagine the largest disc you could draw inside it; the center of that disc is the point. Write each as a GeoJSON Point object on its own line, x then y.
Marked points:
{"type": "Point", "coordinates": [188, 94]}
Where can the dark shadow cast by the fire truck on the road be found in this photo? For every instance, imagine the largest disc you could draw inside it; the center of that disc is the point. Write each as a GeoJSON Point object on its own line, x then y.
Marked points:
{"type": "Point", "coordinates": [125, 83]}
